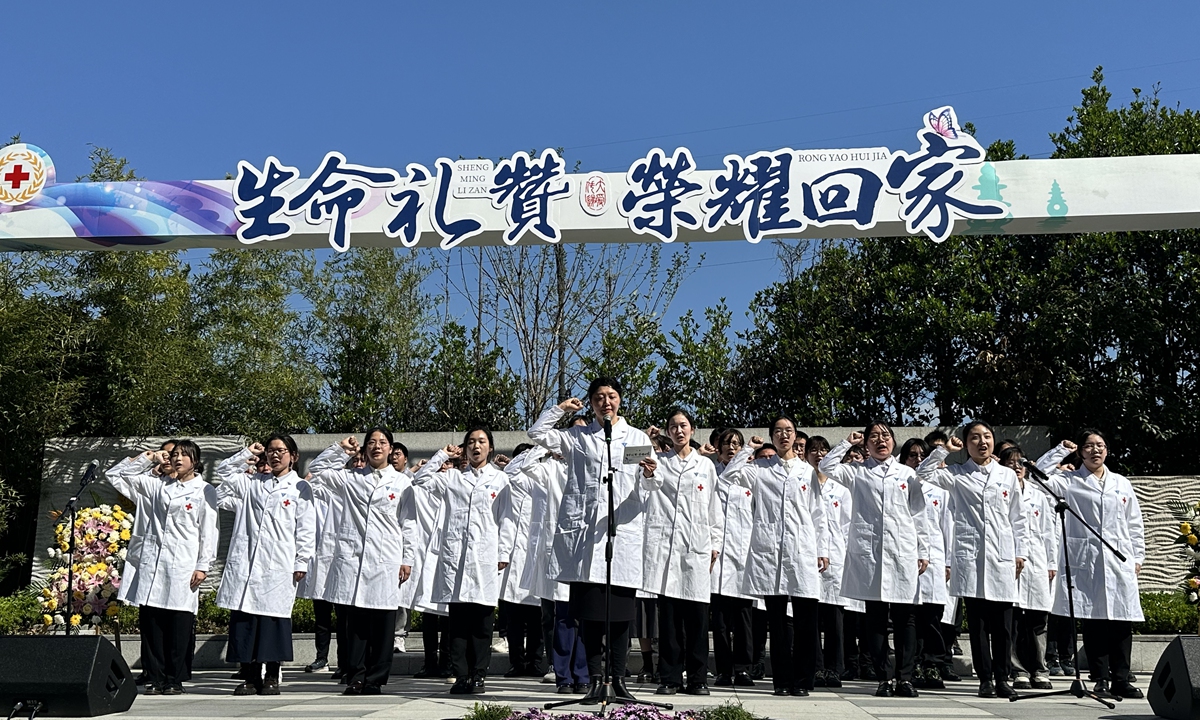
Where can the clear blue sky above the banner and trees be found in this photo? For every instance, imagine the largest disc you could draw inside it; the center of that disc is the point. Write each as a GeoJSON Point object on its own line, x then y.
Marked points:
{"type": "Point", "coordinates": [185, 91]}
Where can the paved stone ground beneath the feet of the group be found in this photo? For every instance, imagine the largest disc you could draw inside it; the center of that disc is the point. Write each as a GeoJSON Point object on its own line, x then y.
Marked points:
{"type": "Point", "coordinates": [313, 697]}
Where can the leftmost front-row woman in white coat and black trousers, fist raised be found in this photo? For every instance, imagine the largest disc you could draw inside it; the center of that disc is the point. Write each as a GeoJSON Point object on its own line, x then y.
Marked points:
{"type": "Point", "coordinates": [169, 557]}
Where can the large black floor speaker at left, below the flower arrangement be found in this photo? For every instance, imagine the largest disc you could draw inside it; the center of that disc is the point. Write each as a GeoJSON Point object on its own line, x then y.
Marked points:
{"type": "Point", "coordinates": [71, 676]}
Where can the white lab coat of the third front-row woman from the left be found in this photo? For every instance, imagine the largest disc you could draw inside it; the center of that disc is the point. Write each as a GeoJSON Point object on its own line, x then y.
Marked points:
{"type": "Point", "coordinates": [370, 549]}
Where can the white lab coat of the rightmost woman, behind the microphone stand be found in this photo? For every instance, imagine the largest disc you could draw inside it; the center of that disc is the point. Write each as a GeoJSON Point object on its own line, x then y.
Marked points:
{"type": "Point", "coordinates": [1106, 589]}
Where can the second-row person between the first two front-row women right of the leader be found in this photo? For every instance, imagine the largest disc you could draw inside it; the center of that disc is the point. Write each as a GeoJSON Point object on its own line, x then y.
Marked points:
{"type": "Point", "coordinates": [733, 611]}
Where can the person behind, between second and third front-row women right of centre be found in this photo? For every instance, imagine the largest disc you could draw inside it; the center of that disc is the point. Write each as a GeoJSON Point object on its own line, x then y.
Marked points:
{"type": "Point", "coordinates": [831, 652]}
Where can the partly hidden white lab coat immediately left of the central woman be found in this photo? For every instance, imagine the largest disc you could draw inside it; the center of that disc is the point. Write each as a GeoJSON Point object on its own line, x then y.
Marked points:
{"type": "Point", "coordinates": [547, 481]}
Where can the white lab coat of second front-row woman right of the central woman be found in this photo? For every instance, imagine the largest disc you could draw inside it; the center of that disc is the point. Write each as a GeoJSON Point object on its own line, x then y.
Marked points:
{"type": "Point", "coordinates": [790, 530]}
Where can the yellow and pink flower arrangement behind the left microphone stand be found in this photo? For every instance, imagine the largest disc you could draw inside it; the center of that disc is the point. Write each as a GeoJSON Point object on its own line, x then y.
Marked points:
{"type": "Point", "coordinates": [103, 538]}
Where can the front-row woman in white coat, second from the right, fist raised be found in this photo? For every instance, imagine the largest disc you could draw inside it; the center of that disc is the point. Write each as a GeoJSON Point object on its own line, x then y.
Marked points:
{"type": "Point", "coordinates": [988, 551]}
